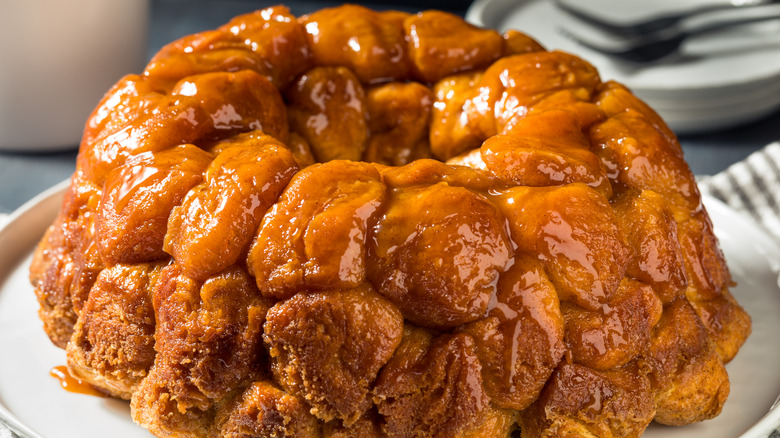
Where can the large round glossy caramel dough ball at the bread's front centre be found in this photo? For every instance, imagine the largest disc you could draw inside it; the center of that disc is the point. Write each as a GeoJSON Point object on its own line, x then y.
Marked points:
{"type": "Point", "coordinates": [437, 253]}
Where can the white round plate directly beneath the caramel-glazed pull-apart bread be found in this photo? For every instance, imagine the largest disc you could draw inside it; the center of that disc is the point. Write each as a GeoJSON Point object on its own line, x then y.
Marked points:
{"type": "Point", "coordinates": [37, 407]}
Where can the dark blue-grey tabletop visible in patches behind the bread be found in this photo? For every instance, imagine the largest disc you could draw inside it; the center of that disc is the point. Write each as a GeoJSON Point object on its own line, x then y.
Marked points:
{"type": "Point", "coordinates": [23, 175]}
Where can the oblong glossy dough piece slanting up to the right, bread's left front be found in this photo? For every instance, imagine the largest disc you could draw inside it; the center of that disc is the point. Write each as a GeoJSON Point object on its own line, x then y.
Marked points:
{"type": "Point", "coordinates": [213, 226]}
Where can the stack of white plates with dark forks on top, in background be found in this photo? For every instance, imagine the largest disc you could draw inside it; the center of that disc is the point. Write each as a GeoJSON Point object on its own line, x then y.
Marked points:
{"type": "Point", "coordinates": [718, 80]}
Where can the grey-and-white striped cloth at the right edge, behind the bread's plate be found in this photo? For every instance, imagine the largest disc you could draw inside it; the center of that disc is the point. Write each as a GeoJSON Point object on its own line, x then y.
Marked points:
{"type": "Point", "coordinates": [751, 186]}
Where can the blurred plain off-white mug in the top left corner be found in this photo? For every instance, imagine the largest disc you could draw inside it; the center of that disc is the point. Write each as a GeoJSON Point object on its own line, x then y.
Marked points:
{"type": "Point", "coordinates": [57, 59]}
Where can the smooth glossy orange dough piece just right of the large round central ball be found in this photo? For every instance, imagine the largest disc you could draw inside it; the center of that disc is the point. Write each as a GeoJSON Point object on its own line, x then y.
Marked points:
{"type": "Point", "coordinates": [573, 230]}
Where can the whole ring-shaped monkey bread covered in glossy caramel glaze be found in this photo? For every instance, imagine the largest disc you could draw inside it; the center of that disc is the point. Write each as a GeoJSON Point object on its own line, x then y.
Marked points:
{"type": "Point", "coordinates": [359, 223]}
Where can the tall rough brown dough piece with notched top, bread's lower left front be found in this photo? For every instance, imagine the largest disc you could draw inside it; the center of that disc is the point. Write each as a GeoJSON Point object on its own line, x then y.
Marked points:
{"type": "Point", "coordinates": [208, 344]}
